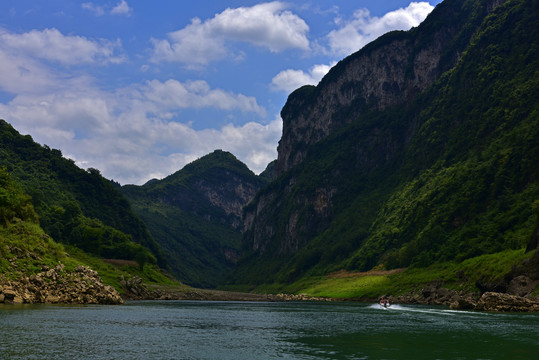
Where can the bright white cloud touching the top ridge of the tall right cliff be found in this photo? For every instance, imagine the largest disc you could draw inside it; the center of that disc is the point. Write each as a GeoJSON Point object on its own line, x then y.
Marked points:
{"type": "Point", "coordinates": [363, 28]}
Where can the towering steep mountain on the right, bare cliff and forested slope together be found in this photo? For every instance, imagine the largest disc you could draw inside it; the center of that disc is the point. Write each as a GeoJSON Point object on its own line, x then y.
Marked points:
{"type": "Point", "coordinates": [422, 147]}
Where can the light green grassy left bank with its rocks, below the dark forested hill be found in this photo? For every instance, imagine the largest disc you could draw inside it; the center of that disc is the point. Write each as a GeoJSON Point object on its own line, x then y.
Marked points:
{"type": "Point", "coordinates": [35, 268]}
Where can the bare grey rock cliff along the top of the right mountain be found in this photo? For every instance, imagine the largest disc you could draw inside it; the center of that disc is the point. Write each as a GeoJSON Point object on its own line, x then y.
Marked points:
{"type": "Point", "coordinates": [385, 73]}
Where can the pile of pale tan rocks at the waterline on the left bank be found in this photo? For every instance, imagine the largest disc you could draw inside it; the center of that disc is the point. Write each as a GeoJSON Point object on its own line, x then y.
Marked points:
{"type": "Point", "coordinates": [56, 285]}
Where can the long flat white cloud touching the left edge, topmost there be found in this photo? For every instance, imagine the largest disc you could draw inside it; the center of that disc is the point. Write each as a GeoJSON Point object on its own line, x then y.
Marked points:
{"type": "Point", "coordinates": [52, 45]}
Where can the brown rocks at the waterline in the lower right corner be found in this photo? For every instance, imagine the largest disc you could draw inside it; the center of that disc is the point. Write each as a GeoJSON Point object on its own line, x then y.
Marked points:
{"type": "Point", "coordinates": [493, 301]}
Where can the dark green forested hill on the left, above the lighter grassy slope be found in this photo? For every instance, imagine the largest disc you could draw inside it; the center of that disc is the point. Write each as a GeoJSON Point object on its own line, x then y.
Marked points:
{"type": "Point", "coordinates": [75, 206]}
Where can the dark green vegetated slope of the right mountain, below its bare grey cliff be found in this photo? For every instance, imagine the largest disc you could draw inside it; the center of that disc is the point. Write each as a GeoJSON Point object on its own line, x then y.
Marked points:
{"type": "Point", "coordinates": [449, 176]}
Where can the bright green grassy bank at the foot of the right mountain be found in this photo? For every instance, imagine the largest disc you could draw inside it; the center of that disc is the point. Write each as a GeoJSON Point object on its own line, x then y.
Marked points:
{"type": "Point", "coordinates": [457, 276]}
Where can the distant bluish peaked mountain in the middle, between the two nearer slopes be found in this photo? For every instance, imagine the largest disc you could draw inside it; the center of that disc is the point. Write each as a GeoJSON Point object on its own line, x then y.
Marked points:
{"type": "Point", "coordinates": [195, 215]}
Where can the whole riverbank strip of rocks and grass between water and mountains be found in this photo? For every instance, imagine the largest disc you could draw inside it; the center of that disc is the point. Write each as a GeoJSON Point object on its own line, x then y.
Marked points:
{"type": "Point", "coordinates": [505, 282]}
